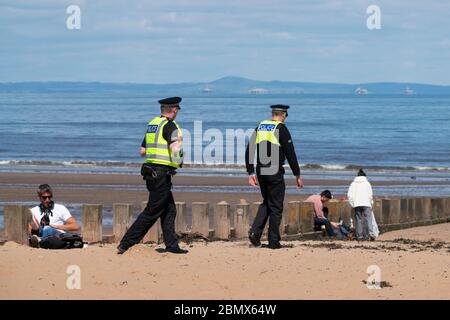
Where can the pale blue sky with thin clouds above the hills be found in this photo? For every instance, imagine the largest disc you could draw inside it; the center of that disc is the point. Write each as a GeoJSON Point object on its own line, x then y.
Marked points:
{"type": "Point", "coordinates": [199, 41]}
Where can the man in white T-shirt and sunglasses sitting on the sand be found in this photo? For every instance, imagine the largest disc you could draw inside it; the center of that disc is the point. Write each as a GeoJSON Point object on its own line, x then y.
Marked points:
{"type": "Point", "coordinates": [49, 218]}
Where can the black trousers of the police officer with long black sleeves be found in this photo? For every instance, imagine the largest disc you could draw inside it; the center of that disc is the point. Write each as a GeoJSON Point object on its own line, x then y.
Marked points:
{"type": "Point", "coordinates": [272, 190]}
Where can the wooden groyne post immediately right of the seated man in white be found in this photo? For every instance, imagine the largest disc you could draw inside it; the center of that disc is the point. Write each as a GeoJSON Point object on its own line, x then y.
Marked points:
{"type": "Point", "coordinates": [91, 219]}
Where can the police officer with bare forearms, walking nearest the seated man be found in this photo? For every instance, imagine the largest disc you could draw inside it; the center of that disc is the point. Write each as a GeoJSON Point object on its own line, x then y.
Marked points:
{"type": "Point", "coordinates": [162, 147]}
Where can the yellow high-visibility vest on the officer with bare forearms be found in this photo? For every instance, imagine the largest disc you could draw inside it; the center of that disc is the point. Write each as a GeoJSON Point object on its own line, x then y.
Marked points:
{"type": "Point", "coordinates": [157, 148]}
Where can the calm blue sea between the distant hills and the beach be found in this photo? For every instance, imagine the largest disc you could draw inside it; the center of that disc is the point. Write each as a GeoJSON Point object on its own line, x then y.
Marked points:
{"type": "Point", "coordinates": [337, 130]}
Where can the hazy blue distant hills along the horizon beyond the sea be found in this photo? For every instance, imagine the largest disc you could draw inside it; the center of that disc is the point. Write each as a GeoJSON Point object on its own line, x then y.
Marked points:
{"type": "Point", "coordinates": [229, 85]}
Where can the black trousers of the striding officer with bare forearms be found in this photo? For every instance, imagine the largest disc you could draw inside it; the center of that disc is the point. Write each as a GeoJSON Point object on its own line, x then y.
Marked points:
{"type": "Point", "coordinates": [160, 205]}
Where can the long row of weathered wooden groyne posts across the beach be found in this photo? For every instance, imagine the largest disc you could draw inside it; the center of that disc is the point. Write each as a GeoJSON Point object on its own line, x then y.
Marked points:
{"type": "Point", "coordinates": [224, 221]}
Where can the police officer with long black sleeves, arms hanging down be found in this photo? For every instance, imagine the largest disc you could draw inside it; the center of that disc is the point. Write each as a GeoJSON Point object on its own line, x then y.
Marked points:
{"type": "Point", "coordinates": [272, 144]}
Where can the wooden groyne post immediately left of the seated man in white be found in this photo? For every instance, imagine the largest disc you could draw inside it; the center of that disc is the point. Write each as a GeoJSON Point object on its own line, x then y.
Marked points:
{"type": "Point", "coordinates": [16, 218]}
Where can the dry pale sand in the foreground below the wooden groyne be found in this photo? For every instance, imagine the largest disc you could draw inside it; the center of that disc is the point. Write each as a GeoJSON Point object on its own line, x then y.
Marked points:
{"type": "Point", "coordinates": [416, 267]}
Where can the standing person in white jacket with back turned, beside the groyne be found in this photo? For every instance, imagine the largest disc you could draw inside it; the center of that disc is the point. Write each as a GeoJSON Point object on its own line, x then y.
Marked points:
{"type": "Point", "coordinates": [360, 197]}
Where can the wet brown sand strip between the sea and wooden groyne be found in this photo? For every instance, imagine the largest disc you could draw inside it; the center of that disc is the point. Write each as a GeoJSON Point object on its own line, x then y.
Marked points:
{"type": "Point", "coordinates": [107, 189]}
